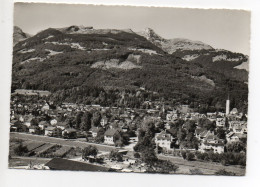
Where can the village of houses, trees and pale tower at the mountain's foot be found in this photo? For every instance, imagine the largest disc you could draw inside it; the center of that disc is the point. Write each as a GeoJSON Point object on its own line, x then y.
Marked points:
{"type": "Point", "coordinates": [177, 131]}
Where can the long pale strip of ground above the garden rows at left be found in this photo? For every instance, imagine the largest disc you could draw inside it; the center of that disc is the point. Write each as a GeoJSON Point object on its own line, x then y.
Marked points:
{"type": "Point", "coordinates": [64, 142]}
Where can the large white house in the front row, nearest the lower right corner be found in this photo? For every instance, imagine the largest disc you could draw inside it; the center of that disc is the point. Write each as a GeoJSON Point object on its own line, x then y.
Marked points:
{"type": "Point", "coordinates": [212, 143]}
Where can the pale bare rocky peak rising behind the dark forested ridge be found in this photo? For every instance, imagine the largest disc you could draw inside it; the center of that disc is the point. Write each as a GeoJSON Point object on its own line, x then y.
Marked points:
{"type": "Point", "coordinates": [172, 45]}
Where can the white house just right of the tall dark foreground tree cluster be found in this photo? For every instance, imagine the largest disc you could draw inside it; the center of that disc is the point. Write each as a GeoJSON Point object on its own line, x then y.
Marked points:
{"type": "Point", "coordinates": [163, 140]}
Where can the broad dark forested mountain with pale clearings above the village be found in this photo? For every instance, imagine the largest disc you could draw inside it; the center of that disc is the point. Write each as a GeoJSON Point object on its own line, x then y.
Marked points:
{"type": "Point", "coordinates": [108, 67]}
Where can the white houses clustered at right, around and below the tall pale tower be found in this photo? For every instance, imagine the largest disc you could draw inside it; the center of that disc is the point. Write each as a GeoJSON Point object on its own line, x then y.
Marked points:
{"type": "Point", "coordinates": [234, 124]}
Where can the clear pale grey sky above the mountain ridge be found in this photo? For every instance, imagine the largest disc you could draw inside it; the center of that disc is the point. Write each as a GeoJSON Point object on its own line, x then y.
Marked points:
{"type": "Point", "coordinates": [220, 28]}
